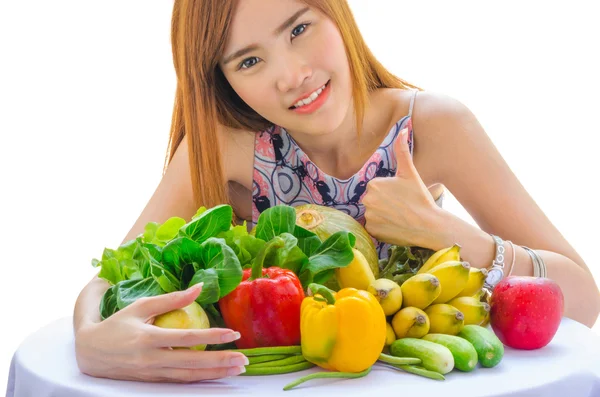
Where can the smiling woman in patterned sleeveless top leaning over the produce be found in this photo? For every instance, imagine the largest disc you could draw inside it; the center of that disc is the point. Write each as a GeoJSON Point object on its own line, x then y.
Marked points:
{"type": "Point", "coordinates": [281, 101]}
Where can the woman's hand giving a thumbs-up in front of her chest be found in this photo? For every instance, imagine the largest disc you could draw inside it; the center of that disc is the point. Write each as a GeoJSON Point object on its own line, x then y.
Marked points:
{"type": "Point", "coordinates": [400, 210]}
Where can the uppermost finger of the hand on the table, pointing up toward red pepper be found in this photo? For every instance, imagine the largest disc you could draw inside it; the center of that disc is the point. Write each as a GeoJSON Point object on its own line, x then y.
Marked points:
{"type": "Point", "coordinates": [150, 307]}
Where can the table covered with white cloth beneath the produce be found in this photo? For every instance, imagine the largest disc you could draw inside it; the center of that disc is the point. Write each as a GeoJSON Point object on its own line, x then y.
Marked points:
{"type": "Point", "coordinates": [44, 365]}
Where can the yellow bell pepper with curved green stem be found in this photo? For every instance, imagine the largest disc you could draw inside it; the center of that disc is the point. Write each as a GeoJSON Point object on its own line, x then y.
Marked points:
{"type": "Point", "coordinates": [343, 331]}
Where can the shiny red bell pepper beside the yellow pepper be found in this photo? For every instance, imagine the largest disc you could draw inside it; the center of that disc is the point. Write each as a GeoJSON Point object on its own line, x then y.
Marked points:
{"type": "Point", "coordinates": [264, 308]}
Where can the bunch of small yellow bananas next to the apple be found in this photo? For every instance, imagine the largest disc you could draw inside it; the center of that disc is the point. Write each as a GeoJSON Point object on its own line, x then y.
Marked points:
{"type": "Point", "coordinates": [442, 297]}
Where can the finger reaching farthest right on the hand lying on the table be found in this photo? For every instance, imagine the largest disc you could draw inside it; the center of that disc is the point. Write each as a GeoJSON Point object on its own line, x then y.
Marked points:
{"type": "Point", "coordinates": [192, 359]}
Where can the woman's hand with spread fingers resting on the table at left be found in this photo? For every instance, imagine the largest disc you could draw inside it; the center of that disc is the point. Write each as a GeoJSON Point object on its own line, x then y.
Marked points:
{"type": "Point", "coordinates": [127, 346]}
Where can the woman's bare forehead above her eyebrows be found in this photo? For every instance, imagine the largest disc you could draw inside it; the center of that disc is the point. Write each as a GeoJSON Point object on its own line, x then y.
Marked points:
{"type": "Point", "coordinates": [255, 20]}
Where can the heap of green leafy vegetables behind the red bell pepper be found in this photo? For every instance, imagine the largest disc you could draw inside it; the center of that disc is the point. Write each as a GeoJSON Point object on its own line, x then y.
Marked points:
{"type": "Point", "coordinates": [176, 254]}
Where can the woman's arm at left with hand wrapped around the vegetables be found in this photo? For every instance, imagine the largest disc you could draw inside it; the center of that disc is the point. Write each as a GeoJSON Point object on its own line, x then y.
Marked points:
{"type": "Point", "coordinates": [127, 345]}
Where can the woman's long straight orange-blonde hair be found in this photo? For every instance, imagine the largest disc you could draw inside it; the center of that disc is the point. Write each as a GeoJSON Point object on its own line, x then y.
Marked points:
{"type": "Point", "coordinates": [204, 98]}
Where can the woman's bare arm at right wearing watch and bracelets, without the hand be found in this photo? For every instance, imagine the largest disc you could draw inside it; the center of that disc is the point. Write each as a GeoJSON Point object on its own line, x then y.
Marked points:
{"type": "Point", "coordinates": [476, 174]}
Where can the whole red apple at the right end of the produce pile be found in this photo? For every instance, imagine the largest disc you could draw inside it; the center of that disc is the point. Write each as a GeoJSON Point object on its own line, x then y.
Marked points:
{"type": "Point", "coordinates": [525, 312]}
